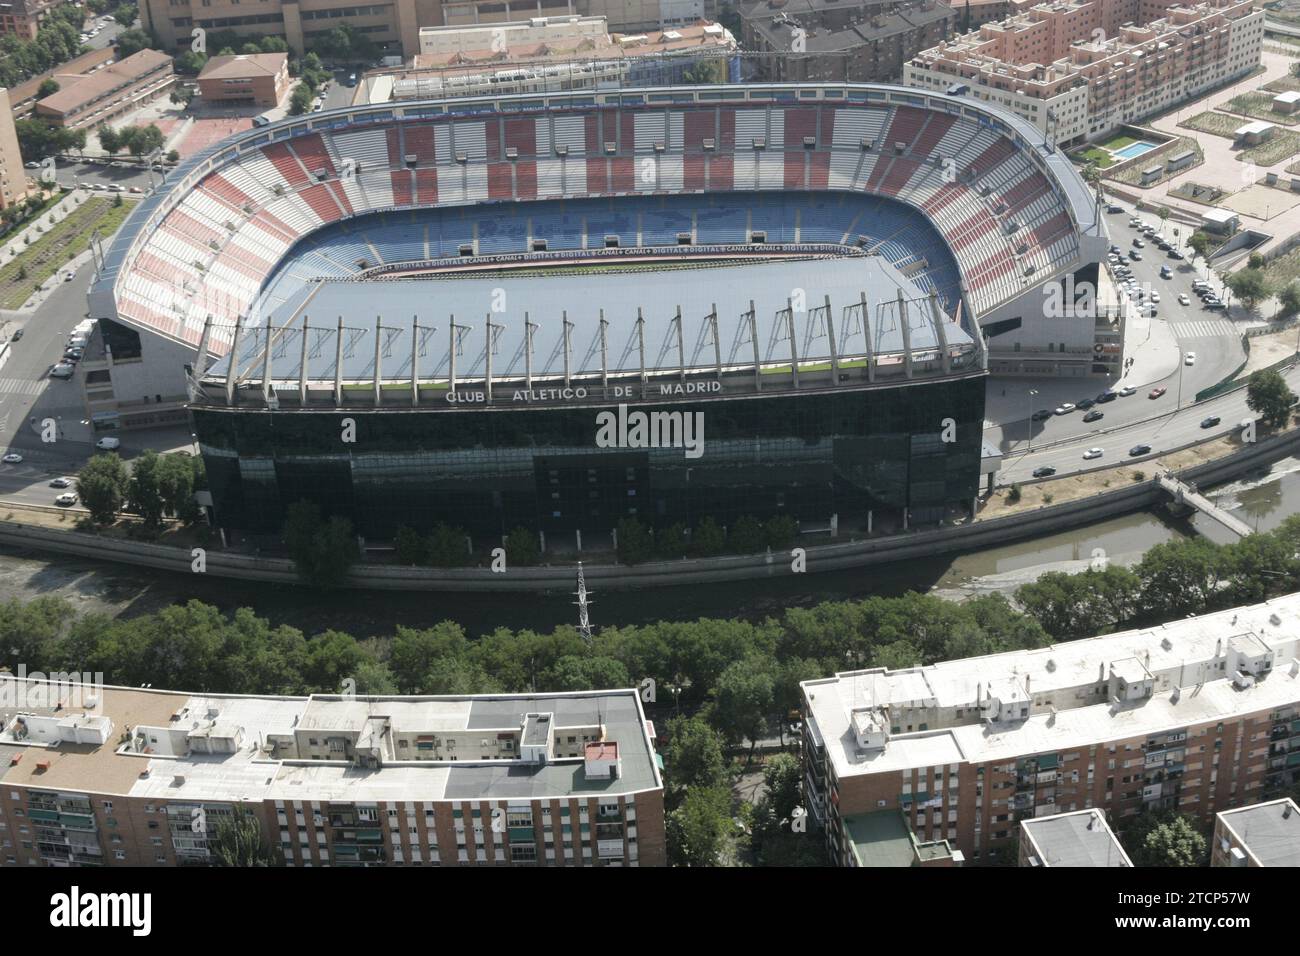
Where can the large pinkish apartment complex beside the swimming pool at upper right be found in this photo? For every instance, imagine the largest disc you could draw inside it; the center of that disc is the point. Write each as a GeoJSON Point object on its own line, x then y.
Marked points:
{"type": "Point", "coordinates": [1080, 70]}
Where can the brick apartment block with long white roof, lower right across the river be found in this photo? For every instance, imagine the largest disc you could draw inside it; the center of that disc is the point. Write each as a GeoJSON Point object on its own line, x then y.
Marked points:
{"type": "Point", "coordinates": [1198, 715]}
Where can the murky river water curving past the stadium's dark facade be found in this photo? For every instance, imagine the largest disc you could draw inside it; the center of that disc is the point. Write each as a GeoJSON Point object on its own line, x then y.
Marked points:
{"type": "Point", "coordinates": [1263, 501]}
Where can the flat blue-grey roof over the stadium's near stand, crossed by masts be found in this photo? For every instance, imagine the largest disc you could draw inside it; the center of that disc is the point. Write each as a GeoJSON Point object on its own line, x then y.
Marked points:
{"type": "Point", "coordinates": [549, 300]}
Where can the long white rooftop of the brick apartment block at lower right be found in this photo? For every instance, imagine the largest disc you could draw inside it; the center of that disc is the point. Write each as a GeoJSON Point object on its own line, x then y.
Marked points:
{"type": "Point", "coordinates": [1068, 695]}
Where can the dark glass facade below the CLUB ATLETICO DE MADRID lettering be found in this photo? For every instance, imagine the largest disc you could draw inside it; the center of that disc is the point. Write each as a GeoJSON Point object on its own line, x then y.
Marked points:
{"type": "Point", "coordinates": [848, 452]}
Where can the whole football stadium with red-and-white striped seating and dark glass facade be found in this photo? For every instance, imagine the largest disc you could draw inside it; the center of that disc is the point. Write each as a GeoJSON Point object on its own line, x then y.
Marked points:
{"type": "Point", "coordinates": [422, 314]}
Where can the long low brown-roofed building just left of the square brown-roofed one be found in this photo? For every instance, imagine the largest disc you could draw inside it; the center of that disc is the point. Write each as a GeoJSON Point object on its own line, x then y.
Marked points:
{"type": "Point", "coordinates": [106, 94]}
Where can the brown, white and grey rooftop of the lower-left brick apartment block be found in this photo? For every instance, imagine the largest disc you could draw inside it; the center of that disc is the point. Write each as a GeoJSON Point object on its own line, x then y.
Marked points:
{"type": "Point", "coordinates": [150, 745]}
